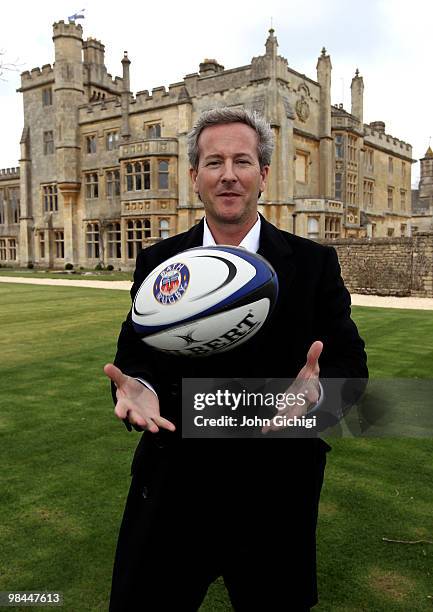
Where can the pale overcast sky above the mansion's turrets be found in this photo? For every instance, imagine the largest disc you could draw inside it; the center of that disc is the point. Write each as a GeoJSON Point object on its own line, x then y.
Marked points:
{"type": "Point", "coordinates": [388, 40]}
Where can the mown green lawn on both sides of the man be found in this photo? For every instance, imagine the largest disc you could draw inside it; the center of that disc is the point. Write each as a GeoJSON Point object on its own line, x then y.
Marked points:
{"type": "Point", "coordinates": [65, 462]}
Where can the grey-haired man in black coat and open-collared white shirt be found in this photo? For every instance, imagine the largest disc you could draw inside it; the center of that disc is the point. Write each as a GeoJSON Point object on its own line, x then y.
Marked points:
{"type": "Point", "coordinates": [245, 509]}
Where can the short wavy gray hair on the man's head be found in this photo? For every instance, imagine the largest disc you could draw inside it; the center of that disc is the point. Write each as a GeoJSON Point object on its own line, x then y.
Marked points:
{"type": "Point", "coordinates": [218, 116]}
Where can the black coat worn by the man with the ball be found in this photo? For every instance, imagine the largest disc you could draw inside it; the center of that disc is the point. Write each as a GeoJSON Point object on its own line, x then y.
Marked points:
{"type": "Point", "coordinates": [252, 480]}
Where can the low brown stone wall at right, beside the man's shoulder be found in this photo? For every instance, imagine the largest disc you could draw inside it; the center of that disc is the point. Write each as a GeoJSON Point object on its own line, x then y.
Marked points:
{"type": "Point", "coordinates": [388, 266]}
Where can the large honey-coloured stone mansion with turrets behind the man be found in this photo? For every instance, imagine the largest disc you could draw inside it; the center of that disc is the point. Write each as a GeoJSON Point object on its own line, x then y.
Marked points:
{"type": "Point", "coordinates": [104, 172]}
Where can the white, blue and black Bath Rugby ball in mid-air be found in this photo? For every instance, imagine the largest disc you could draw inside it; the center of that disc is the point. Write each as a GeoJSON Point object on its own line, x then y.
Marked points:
{"type": "Point", "coordinates": [205, 300]}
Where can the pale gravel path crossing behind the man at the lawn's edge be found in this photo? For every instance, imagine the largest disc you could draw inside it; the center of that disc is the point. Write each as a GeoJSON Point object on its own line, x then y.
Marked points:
{"type": "Point", "coordinates": [357, 299]}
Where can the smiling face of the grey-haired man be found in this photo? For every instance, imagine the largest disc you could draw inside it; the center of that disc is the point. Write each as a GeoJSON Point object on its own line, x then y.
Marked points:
{"type": "Point", "coordinates": [229, 178]}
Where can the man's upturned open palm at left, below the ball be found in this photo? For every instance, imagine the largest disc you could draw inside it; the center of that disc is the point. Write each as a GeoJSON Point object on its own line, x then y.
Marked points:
{"type": "Point", "coordinates": [136, 403]}
